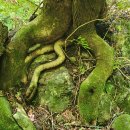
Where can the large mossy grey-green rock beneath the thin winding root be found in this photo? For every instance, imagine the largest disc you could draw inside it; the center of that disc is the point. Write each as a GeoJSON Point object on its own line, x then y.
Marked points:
{"type": "Point", "coordinates": [55, 89]}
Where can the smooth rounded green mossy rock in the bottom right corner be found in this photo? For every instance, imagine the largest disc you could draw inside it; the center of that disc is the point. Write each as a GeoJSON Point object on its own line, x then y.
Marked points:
{"type": "Point", "coordinates": [122, 122]}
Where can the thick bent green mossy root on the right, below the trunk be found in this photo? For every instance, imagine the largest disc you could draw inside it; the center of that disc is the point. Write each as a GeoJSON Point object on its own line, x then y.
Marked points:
{"type": "Point", "coordinates": [92, 87]}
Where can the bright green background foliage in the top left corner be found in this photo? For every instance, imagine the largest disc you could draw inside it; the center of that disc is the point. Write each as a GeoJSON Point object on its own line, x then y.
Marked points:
{"type": "Point", "coordinates": [14, 13]}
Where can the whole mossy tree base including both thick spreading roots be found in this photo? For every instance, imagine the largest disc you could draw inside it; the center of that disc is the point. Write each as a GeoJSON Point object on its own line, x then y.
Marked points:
{"type": "Point", "coordinates": [57, 19]}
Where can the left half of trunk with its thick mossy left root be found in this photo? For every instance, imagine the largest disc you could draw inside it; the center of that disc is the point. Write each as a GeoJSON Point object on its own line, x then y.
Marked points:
{"type": "Point", "coordinates": [46, 28]}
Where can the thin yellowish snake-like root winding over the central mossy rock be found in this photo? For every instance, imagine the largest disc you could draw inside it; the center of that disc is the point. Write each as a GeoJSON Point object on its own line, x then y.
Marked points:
{"type": "Point", "coordinates": [61, 57]}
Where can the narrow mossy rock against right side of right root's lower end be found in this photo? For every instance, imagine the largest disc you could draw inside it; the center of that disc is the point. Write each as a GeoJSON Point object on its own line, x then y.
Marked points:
{"type": "Point", "coordinates": [107, 104]}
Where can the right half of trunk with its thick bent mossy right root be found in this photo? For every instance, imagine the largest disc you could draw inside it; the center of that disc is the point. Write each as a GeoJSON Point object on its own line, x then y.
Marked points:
{"type": "Point", "coordinates": [91, 88]}
